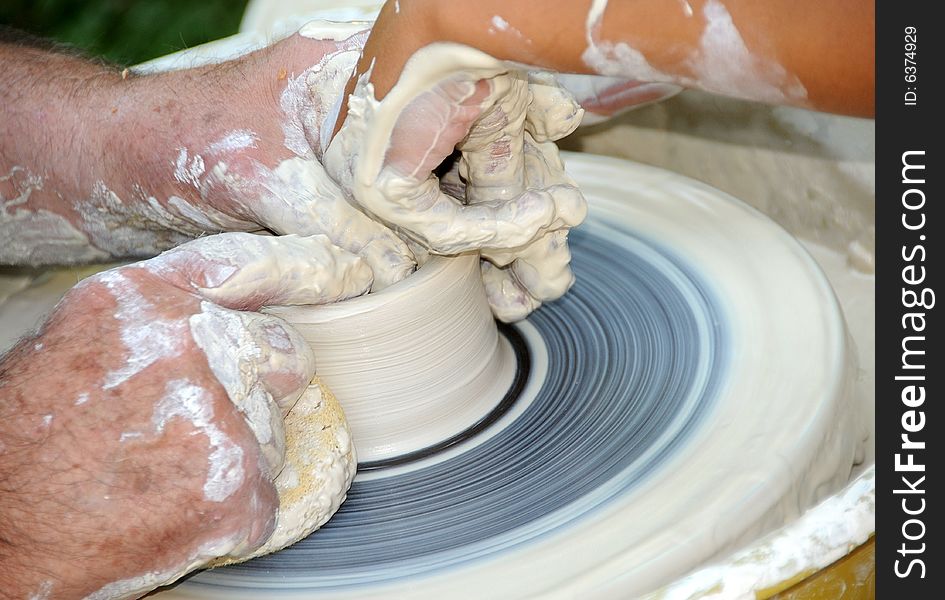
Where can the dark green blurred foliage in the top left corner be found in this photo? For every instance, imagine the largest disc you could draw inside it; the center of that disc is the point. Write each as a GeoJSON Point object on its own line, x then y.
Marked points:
{"type": "Point", "coordinates": [125, 31]}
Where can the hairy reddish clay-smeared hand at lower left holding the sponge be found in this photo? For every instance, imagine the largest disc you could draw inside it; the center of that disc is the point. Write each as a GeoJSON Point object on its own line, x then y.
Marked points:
{"type": "Point", "coordinates": [142, 427]}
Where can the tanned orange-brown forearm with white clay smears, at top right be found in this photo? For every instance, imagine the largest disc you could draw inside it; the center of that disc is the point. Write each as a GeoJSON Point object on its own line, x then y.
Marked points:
{"type": "Point", "coordinates": [801, 52]}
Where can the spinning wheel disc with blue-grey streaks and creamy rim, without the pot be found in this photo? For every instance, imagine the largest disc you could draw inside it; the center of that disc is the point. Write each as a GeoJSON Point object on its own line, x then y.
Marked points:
{"type": "Point", "coordinates": [563, 538]}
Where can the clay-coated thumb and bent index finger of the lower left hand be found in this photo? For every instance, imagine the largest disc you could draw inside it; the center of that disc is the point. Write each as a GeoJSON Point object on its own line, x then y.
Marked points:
{"type": "Point", "coordinates": [261, 362]}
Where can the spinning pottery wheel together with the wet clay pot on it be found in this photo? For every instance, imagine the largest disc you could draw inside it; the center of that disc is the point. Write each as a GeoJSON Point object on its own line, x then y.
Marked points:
{"type": "Point", "coordinates": [689, 393]}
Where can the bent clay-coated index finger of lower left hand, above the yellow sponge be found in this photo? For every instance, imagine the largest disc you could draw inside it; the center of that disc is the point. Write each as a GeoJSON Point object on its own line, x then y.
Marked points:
{"type": "Point", "coordinates": [262, 364]}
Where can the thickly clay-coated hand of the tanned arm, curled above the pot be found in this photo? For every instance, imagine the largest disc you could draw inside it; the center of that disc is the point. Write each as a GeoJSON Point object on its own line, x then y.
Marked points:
{"type": "Point", "coordinates": [508, 197]}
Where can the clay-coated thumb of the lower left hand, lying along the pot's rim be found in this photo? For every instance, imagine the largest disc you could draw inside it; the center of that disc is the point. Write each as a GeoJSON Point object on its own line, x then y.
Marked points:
{"type": "Point", "coordinates": [246, 271]}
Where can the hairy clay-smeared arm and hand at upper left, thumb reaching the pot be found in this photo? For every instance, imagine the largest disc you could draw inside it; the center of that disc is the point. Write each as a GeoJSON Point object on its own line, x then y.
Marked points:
{"type": "Point", "coordinates": [100, 164]}
